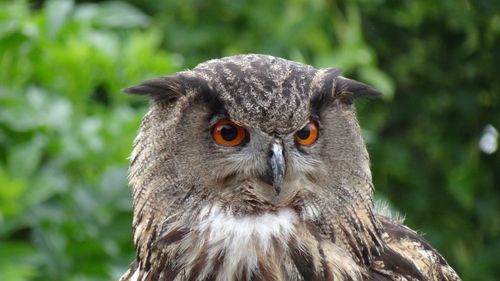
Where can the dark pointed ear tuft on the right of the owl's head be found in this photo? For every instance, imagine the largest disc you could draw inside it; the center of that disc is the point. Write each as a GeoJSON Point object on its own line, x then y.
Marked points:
{"type": "Point", "coordinates": [346, 90]}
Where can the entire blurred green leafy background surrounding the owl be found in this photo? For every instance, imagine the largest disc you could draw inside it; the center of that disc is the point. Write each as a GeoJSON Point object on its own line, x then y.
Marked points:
{"type": "Point", "coordinates": [66, 128]}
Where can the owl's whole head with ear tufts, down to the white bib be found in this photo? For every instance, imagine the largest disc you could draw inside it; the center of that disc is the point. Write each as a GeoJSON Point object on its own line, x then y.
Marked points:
{"type": "Point", "coordinates": [251, 133]}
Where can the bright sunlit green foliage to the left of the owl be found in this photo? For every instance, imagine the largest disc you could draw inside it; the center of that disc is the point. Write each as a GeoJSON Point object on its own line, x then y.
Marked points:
{"type": "Point", "coordinates": [65, 132]}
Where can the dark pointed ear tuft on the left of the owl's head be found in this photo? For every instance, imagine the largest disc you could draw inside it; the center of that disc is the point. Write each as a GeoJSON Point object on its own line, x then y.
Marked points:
{"type": "Point", "coordinates": [167, 88]}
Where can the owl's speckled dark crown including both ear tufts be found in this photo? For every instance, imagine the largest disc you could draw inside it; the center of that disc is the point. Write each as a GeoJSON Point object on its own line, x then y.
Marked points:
{"type": "Point", "coordinates": [272, 94]}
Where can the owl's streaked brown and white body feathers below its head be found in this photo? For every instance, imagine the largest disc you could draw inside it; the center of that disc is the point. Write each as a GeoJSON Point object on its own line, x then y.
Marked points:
{"type": "Point", "coordinates": [280, 246]}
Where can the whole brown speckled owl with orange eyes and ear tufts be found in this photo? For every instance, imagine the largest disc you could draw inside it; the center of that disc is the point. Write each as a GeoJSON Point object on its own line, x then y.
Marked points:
{"type": "Point", "coordinates": [253, 167]}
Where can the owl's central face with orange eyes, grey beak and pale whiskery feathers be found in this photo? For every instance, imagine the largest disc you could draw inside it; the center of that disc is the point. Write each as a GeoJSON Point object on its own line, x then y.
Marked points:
{"type": "Point", "coordinates": [263, 167]}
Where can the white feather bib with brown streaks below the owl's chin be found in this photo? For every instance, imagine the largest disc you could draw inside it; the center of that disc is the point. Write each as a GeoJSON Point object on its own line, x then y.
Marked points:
{"type": "Point", "coordinates": [239, 247]}
